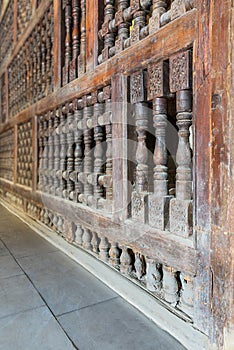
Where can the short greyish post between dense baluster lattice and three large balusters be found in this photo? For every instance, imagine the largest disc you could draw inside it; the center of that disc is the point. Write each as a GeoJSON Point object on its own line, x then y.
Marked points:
{"type": "Point", "coordinates": [121, 195]}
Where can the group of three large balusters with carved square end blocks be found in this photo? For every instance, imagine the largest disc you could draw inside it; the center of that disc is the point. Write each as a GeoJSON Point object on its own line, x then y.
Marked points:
{"type": "Point", "coordinates": [160, 209]}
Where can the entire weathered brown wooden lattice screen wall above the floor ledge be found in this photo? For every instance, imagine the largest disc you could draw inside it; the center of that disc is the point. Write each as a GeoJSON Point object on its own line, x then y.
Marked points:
{"type": "Point", "coordinates": [105, 49]}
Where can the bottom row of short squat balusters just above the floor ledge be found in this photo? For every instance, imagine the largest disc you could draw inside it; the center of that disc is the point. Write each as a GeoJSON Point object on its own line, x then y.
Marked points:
{"type": "Point", "coordinates": [164, 282]}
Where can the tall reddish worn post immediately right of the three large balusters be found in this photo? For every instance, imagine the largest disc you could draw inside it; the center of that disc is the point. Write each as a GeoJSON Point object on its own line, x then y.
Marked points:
{"type": "Point", "coordinates": [202, 161]}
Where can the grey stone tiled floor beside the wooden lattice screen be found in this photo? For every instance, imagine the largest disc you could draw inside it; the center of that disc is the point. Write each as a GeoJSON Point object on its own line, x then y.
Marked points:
{"type": "Point", "coordinates": [47, 301]}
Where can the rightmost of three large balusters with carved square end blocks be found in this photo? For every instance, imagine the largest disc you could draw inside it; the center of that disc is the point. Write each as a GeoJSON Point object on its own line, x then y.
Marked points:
{"type": "Point", "coordinates": [180, 82]}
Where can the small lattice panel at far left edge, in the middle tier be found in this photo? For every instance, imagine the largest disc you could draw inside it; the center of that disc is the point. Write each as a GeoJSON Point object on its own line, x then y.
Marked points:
{"type": "Point", "coordinates": [7, 155]}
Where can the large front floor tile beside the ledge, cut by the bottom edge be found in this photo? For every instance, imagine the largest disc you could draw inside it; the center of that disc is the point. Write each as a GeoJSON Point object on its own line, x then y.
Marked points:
{"type": "Point", "coordinates": [115, 325]}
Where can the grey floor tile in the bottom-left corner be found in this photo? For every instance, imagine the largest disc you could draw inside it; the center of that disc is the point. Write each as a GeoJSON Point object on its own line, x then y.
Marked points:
{"type": "Point", "coordinates": [32, 330]}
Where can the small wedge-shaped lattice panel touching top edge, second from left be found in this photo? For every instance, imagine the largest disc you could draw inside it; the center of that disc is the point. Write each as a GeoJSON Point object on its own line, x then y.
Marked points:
{"type": "Point", "coordinates": [24, 13]}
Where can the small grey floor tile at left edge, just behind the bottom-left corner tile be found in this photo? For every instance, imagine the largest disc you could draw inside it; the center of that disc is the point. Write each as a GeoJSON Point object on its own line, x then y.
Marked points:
{"type": "Point", "coordinates": [17, 294]}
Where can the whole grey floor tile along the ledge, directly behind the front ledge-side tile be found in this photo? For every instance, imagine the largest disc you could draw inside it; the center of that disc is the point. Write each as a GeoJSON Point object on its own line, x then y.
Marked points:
{"type": "Point", "coordinates": [64, 284]}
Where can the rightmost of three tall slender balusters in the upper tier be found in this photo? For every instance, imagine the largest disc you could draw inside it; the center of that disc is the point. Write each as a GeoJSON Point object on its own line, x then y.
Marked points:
{"type": "Point", "coordinates": [82, 55]}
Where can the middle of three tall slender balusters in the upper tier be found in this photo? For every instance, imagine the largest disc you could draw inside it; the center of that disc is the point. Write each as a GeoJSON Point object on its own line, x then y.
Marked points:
{"type": "Point", "coordinates": [75, 39]}
